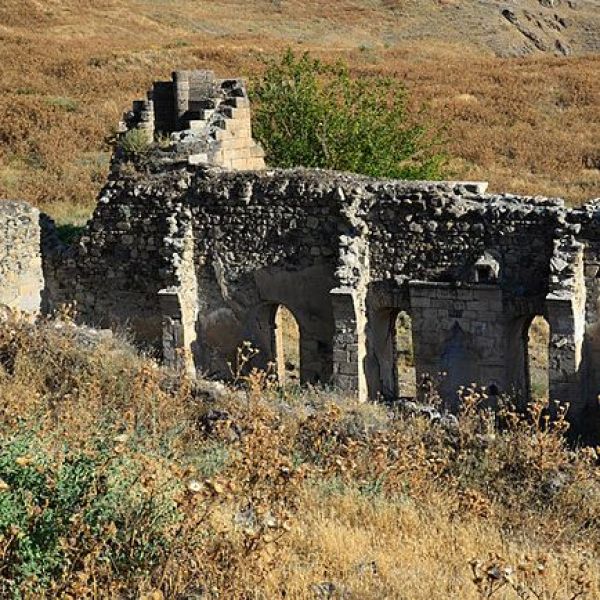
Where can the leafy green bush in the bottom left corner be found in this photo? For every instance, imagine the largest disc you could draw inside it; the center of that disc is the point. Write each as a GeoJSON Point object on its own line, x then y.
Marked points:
{"type": "Point", "coordinates": [55, 509]}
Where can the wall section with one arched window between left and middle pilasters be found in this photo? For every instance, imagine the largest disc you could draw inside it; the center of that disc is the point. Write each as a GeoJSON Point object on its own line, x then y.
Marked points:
{"type": "Point", "coordinates": [264, 241]}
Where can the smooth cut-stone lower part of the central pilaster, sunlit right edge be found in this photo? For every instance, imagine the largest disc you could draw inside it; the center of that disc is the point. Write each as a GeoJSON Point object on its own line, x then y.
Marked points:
{"type": "Point", "coordinates": [349, 341]}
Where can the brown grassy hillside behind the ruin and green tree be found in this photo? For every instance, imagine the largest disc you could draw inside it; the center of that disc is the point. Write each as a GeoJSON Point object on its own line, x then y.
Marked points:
{"type": "Point", "coordinates": [527, 125]}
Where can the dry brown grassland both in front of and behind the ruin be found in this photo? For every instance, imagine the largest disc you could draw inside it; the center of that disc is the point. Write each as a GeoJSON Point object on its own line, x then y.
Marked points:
{"type": "Point", "coordinates": [285, 493]}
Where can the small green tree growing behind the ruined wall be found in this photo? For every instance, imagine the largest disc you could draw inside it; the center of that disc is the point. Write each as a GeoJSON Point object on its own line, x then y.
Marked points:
{"type": "Point", "coordinates": [314, 114]}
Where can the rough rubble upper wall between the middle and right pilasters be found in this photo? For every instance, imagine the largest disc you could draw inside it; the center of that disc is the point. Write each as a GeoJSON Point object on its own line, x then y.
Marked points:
{"type": "Point", "coordinates": [436, 233]}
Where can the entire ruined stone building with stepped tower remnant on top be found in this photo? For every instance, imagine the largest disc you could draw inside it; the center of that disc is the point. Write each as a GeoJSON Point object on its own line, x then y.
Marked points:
{"type": "Point", "coordinates": [196, 248]}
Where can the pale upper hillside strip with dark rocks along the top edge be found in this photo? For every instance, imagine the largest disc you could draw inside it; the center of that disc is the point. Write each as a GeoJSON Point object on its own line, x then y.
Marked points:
{"type": "Point", "coordinates": [505, 28]}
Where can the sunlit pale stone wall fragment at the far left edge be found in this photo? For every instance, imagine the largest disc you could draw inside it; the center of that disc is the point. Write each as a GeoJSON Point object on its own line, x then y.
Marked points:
{"type": "Point", "coordinates": [21, 275]}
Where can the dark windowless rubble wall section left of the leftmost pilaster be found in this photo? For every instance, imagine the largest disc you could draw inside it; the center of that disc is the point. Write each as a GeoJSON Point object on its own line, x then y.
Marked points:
{"type": "Point", "coordinates": [128, 252]}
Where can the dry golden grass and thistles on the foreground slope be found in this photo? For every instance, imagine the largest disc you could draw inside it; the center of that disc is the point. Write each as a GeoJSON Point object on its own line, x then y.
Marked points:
{"type": "Point", "coordinates": [150, 488]}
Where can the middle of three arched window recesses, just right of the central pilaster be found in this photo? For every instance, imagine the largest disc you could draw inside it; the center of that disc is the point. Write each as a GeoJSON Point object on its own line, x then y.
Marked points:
{"type": "Point", "coordinates": [390, 360]}
